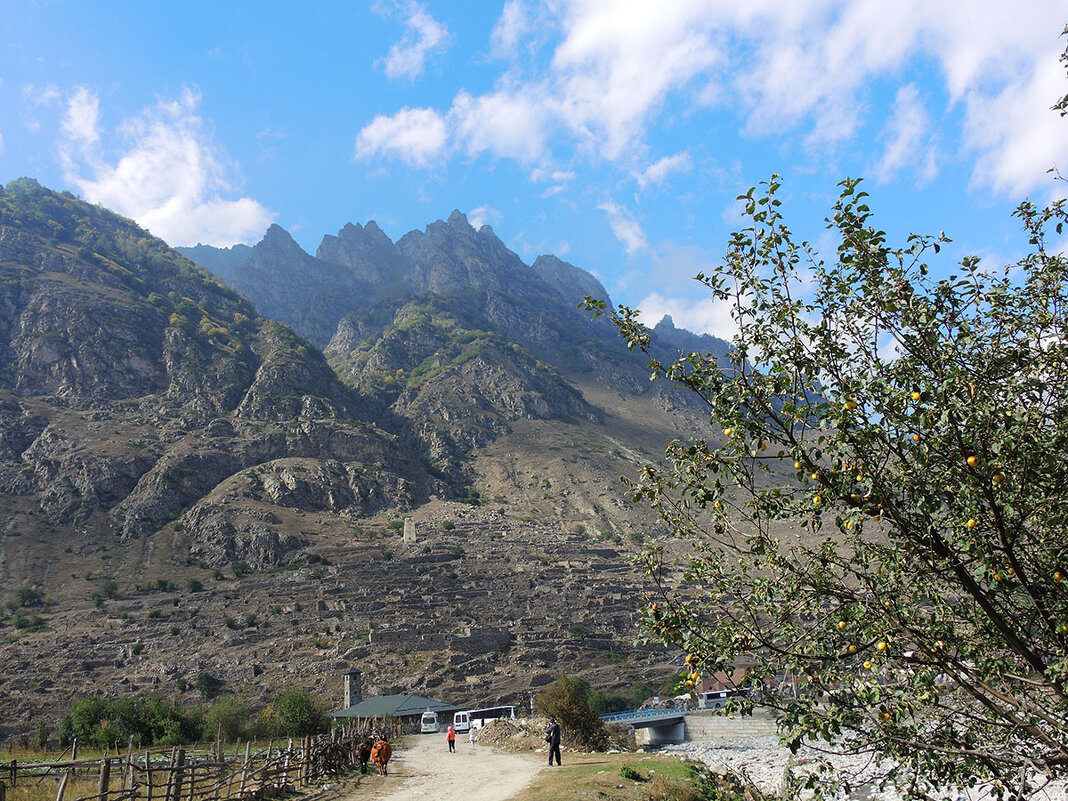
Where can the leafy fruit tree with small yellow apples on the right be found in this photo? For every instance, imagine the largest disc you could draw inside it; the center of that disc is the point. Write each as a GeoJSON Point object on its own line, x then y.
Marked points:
{"type": "Point", "coordinates": [878, 522]}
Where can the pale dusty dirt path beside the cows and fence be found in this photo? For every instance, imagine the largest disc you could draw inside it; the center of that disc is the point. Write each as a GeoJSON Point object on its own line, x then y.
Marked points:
{"type": "Point", "coordinates": [427, 771]}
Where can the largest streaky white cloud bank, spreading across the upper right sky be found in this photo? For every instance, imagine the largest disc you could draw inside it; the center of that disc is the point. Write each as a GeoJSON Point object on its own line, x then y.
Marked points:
{"type": "Point", "coordinates": [612, 71]}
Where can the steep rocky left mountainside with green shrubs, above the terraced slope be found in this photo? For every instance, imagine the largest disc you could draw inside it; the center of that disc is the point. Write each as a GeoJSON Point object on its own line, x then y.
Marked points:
{"type": "Point", "coordinates": [153, 385]}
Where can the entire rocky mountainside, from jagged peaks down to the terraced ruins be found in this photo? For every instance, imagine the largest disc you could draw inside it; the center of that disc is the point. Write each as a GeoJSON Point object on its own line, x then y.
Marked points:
{"type": "Point", "coordinates": [155, 431]}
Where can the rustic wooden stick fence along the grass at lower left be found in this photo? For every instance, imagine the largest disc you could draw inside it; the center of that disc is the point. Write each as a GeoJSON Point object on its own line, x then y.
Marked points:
{"type": "Point", "coordinates": [191, 775]}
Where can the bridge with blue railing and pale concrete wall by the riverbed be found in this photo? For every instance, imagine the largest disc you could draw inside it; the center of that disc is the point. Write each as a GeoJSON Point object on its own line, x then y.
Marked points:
{"type": "Point", "coordinates": [662, 727]}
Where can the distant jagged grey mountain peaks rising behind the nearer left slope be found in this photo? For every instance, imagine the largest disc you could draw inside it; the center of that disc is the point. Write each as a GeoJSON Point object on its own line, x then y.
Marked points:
{"type": "Point", "coordinates": [386, 306]}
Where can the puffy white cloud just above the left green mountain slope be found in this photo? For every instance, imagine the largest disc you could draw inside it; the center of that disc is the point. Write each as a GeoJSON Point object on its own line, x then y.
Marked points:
{"type": "Point", "coordinates": [170, 177]}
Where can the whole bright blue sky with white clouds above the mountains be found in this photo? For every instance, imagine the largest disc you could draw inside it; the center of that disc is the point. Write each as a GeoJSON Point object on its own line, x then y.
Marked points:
{"type": "Point", "coordinates": [612, 133]}
